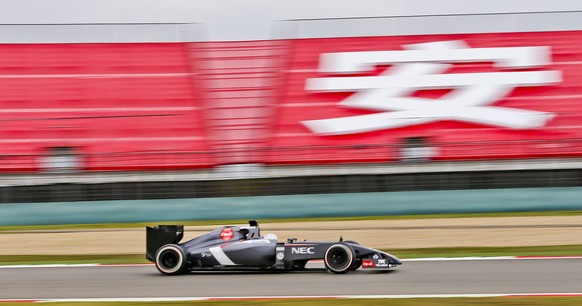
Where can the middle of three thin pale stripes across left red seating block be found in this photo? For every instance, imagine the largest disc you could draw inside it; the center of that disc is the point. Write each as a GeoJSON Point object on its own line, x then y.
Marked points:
{"type": "Point", "coordinates": [97, 109]}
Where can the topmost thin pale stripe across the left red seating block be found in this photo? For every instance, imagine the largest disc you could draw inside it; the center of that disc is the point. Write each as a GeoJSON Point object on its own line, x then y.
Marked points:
{"type": "Point", "coordinates": [93, 75]}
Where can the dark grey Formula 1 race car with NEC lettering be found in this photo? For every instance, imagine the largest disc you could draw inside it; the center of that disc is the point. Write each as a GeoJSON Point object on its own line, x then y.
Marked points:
{"type": "Point", "coordinates": [243, 247]}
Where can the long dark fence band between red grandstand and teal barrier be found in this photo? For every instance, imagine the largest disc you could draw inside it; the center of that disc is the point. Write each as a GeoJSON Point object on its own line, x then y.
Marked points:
{"type": "Point", "coordinates": [137, 187]}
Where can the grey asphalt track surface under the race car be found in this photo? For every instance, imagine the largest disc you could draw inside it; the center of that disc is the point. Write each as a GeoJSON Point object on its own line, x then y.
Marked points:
{"type": "Point", "coordinates": [414, 277]}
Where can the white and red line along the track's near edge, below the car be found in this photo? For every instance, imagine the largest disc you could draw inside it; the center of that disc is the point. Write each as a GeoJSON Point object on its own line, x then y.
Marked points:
{"type": "Point", "coordinates": [280, 297]}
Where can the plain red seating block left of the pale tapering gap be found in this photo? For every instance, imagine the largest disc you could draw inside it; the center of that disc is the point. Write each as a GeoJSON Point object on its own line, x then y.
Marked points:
{"type": "Point", "coordinates": [121, 106]}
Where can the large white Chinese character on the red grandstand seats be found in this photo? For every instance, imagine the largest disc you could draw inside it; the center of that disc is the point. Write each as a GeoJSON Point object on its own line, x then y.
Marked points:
{"type": "Point", "coordinates": [421, 67]}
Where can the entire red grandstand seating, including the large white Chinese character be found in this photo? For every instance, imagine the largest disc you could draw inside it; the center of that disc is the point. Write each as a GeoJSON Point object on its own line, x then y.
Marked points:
{"type": "Point", "coordinates": [138, 106]}
